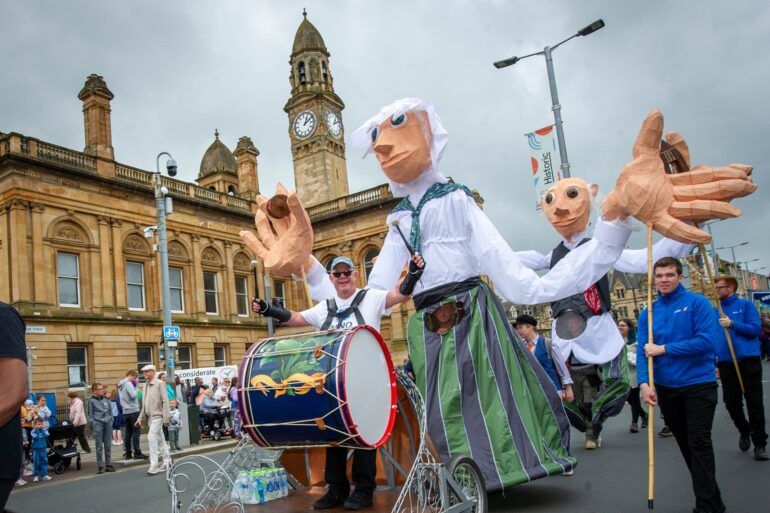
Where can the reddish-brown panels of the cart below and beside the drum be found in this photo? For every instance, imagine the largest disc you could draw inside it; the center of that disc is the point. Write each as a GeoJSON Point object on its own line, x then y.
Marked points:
{"type": "Point", "coordinates": [307, 465]}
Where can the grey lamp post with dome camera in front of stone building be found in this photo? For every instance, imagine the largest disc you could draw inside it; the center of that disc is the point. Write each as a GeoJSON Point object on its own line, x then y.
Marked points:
{"type": "Point", "coordinates": [162, 204]}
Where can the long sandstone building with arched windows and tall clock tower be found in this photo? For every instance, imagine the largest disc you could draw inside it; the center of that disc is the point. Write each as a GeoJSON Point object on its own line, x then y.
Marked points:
{"type": "Point", "coordinates": [75, 262]}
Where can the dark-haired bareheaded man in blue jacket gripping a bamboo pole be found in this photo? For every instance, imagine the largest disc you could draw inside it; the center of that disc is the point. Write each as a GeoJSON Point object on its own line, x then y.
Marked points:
{"type": "Point", "coordinates": [685, 330]}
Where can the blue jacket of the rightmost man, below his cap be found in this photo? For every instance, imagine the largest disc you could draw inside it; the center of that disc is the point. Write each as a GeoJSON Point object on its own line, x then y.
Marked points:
{"type": "Point", "coordinates": [744, 332]}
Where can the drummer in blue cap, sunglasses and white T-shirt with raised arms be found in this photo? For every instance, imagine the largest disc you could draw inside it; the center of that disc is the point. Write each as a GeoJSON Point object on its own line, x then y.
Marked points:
{"type": "Point", "coordinates": [350, 307]}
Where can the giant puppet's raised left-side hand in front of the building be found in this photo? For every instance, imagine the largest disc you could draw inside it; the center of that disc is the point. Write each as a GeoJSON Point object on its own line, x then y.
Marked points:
{"type": "Point", "coordinates": [285, 234]}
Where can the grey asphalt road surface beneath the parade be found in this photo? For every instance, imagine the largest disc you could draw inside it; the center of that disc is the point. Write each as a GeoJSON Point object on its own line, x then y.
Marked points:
{"type": "Point", "coordinates": [608, 480]}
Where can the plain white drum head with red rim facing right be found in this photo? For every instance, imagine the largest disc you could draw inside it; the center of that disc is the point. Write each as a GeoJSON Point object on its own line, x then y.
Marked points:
{"type": "Point", "coordinates": [370, 387]}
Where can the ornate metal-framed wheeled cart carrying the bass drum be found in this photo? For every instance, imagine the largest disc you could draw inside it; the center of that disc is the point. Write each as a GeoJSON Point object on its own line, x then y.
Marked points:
{"type": "Point", "coordinates": [199, 484]}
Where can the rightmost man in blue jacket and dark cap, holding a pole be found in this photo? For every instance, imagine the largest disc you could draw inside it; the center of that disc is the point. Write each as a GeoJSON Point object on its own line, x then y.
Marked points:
{"type": "Point", "coordinates": [741, 318]}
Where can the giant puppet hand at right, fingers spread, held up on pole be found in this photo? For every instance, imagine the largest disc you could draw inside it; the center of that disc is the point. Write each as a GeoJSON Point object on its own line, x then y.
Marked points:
{"type": "Point", "coordinates": [645, 191]}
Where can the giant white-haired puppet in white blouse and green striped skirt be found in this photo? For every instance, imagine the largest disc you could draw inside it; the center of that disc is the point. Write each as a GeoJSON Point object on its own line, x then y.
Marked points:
{"type": "Point", "coordinates": [485, 395]}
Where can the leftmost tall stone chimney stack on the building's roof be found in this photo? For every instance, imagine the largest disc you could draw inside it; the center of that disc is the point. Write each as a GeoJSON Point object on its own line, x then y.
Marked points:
{"type": "Point", "coordinates": [96, 113]}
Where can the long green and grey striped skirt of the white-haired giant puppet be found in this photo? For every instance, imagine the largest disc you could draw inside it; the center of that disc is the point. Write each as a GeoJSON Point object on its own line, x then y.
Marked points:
{"type": "Point", "coordinates": [485, 394]}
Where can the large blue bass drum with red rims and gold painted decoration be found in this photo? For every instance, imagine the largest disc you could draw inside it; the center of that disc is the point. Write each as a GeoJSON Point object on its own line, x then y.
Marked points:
{"type": "Point", "coordinates": [331, 388]}
